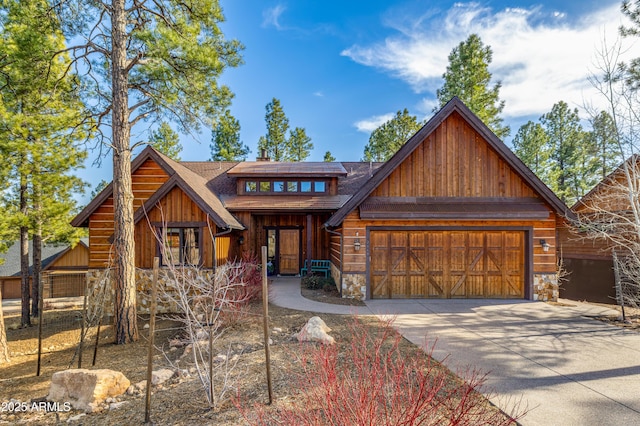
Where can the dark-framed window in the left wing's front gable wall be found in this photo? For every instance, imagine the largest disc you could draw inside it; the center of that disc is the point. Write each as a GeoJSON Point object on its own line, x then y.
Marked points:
{"type": "Point", "coordinates": [181, 246]}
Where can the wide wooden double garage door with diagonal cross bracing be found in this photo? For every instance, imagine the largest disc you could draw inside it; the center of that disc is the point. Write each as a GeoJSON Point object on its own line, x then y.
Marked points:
{"type": "Point", "coordinates": [447, 264]}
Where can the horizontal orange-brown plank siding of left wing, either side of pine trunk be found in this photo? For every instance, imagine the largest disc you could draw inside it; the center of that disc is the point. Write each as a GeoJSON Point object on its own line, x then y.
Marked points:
{"type": "Point", "coordinates": [146, 180]}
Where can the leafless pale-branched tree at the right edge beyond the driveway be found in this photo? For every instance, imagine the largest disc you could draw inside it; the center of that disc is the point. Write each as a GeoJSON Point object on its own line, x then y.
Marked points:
{"type": "Point", "coordinates": [609, 215]}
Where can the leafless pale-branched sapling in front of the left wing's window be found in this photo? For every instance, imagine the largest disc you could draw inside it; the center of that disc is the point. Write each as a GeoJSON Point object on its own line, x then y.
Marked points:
{"type": "Point", "coordinates": [204, 301]}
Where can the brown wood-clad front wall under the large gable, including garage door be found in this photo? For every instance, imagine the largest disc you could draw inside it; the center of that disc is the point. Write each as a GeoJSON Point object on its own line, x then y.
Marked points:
{"type": "Point", "coordinates": [427, 236]}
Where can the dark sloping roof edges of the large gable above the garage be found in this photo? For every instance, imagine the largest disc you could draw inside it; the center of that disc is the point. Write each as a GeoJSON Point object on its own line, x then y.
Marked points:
{"type": "Point", "coordinates": [454, 105]}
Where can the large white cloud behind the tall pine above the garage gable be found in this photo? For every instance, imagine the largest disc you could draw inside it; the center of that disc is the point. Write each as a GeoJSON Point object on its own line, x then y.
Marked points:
{"type": "Point", "coordinates": [539, 57]}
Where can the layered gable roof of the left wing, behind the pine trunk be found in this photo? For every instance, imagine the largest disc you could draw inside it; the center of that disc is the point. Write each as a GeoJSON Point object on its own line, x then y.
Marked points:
{"type": "Point", "coordinates": [190, 182]}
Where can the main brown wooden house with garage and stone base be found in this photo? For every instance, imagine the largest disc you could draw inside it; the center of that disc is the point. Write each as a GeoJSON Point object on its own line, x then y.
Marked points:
{"type": "Point", "coordinates": [453, 214]}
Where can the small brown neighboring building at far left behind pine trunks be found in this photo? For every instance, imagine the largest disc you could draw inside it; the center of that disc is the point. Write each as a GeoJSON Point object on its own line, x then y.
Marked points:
{"type": "Point", "coordinates": [63, 270]}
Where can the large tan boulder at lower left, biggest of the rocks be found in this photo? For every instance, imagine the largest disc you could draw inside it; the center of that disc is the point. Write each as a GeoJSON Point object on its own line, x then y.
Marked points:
{"type": "Point", "coordinates": [86, 389]}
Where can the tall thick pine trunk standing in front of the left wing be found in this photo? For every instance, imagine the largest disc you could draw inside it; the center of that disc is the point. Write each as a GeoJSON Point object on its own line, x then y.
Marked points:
{"type": "Point", "coordinates": [124, 264]}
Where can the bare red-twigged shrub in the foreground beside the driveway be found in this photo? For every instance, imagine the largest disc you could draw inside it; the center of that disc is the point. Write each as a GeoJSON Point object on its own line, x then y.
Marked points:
{"type": "Point", "coordinates": [371, 382]}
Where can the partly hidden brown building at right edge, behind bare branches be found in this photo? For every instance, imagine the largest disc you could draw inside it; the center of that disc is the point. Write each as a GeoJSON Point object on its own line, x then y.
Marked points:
{"type": "Point", "coordinates": [589, 262]}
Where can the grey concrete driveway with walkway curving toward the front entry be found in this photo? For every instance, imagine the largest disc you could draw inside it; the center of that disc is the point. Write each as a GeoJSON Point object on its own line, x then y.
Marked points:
{"type": "Point", "coordinates": [566, 368]}
